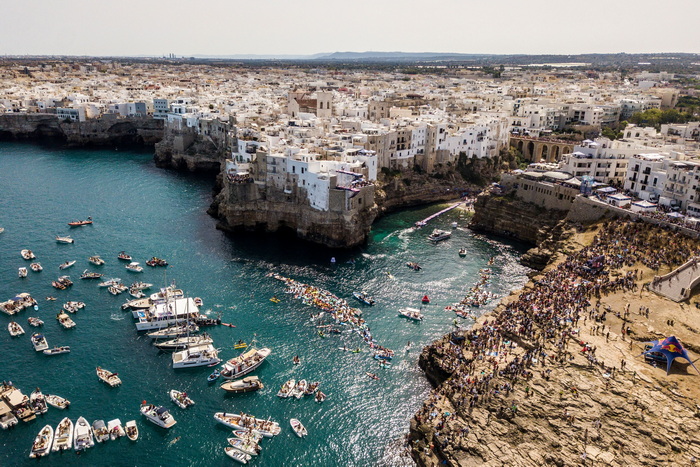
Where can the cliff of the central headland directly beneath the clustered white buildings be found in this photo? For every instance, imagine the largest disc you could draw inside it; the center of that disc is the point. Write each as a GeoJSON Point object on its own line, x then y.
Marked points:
{"type": "Point", "coordinates": [253, 206]}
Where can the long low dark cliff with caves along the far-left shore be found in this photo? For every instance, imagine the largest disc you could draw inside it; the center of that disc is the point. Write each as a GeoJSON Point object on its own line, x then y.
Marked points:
{"type": "Point", "coordinates": [106, 131]}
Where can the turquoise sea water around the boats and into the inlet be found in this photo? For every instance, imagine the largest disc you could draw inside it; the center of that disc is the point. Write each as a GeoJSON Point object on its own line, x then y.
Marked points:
{"type": "Point", "coordinates": [152, 212]}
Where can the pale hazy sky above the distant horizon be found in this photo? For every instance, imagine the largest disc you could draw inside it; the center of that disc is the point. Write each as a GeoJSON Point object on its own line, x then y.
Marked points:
{"type": "Point", "coordinates": [228, 27]}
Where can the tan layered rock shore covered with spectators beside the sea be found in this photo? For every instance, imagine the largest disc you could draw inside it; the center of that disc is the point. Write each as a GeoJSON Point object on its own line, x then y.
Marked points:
{"type": "Point", "coordinates": [559, 385]}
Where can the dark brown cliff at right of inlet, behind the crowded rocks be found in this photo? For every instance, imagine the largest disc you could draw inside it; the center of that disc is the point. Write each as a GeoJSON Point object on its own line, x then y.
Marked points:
{"type": "Point", "coordinates": [510, 217]}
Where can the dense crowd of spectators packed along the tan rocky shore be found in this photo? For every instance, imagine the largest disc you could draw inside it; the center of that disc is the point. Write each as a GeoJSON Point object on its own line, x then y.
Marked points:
{"type": "Point", "coordinates": [486, 362]}
